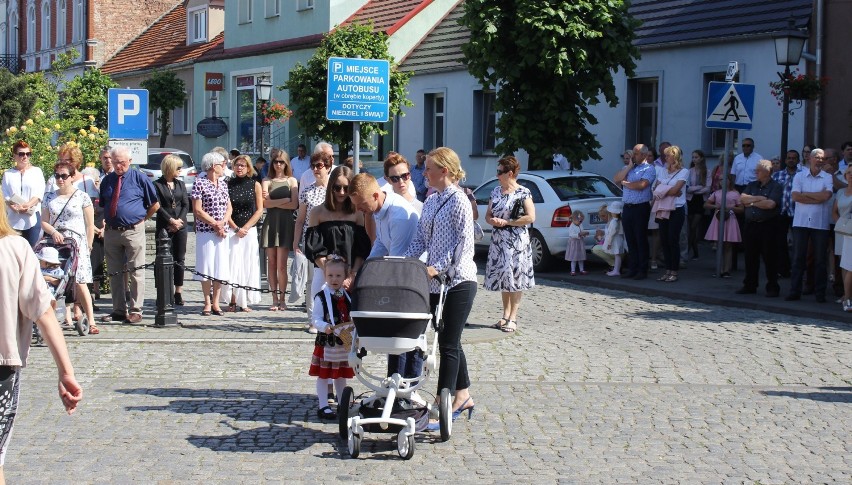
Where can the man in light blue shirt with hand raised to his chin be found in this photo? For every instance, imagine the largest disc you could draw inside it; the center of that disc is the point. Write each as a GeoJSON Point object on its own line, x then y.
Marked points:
{"type": "Point", "coordinates": [636, 179]}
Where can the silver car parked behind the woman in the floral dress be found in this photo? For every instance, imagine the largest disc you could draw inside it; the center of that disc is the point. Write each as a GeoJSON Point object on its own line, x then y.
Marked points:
{"type": "Point", "coordinates": [556, 195]}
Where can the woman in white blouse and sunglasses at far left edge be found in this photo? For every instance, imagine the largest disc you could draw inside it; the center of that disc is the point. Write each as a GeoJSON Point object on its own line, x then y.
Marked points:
{"type": "Point", "coordinates": [23, 191]}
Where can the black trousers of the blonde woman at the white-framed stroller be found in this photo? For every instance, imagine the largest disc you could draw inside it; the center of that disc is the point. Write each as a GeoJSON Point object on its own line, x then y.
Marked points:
{"type": "Point", "coordinates": [453, 371]}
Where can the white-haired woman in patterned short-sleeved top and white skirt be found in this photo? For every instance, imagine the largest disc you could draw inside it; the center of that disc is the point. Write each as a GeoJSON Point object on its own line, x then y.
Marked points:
{"type": "Point", "coordinates": [212, 207]}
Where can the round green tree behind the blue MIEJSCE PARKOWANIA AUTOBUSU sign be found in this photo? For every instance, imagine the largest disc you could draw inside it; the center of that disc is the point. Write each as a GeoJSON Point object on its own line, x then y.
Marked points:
{"type": "Point", "coordinates": [307, 84]}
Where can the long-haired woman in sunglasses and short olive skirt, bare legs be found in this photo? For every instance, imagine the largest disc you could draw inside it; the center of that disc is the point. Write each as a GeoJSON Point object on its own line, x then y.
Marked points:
{"type": "Point", "coordinates": [279, 191]}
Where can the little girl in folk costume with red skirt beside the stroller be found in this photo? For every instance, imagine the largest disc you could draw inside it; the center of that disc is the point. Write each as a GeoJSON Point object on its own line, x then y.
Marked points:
{"type": "Point", "coordinates": [330, 360]}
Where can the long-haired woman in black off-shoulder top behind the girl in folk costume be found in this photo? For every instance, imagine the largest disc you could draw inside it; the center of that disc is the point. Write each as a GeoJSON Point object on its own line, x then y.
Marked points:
{"type": "Point", "coordinates": [336, 227]}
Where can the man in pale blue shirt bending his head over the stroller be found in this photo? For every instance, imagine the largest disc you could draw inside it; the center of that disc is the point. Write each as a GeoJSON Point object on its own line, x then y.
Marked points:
{"type": "Point", "coordinates": [396, 223]}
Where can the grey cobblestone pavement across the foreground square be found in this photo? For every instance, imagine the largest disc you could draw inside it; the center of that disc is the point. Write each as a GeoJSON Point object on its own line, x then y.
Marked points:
{"type": "Point", "coordinates": [597, 385]}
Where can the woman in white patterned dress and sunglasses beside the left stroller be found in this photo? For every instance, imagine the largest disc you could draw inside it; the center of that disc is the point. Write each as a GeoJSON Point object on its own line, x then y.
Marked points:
{"type": "Point", "coordinates": [68, 212]}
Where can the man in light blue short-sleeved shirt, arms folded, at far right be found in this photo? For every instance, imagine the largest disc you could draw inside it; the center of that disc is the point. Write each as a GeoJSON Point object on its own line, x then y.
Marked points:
{"type": "Point", "coordinates": [812, 192]}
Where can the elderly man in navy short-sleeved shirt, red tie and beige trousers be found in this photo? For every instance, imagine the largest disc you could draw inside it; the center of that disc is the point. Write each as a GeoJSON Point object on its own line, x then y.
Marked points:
{"type": "Point", "coordinates": [128, 199]}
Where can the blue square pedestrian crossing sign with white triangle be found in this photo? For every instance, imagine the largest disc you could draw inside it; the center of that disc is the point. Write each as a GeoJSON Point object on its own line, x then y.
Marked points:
{"type": "Point", "coordinates": [730, 105]}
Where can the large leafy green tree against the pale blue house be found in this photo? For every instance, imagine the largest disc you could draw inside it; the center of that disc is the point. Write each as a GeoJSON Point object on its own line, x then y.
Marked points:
{"type": "Point", "coordinates": [549, 61]}
